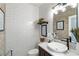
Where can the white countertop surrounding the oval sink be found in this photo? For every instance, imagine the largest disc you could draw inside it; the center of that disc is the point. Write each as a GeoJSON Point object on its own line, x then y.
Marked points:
{"type": "Point", "coordinates": [71, 52]}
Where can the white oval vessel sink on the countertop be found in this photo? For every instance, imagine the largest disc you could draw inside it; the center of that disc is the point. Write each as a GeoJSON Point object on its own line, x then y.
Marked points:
{"type": "Point", "coordinates": [57, 47]}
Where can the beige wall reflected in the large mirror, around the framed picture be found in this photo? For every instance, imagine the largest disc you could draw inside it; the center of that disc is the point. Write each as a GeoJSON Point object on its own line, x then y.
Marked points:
{"type": "Point", "coordinates": [63, 16]}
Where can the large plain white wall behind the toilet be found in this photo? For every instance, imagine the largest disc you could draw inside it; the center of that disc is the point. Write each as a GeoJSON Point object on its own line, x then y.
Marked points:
{"type": "Point", "coordinates": [21, 32]}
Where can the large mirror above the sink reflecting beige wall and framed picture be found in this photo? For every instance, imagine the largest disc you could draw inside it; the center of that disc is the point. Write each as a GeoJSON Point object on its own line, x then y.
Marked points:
{"type": "Point", "coordinates": [69, 16]}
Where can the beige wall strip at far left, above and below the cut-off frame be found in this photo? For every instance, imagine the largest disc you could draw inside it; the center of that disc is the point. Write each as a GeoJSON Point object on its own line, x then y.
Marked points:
{"type": "Point", "coordinates": [2, 34]}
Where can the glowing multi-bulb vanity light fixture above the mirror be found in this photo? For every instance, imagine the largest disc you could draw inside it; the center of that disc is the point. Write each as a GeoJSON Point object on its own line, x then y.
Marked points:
{"type": "Point", "coordinates": [62, 7]}
